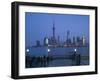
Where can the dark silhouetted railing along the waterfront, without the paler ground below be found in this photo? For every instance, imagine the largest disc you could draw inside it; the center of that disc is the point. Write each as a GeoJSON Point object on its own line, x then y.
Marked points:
{"type": "Point", "coordinates": [44, 60]}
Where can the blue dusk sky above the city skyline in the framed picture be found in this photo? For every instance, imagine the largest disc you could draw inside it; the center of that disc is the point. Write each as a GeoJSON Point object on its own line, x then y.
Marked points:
{"type": "Point", "coordinates": [39, 25]}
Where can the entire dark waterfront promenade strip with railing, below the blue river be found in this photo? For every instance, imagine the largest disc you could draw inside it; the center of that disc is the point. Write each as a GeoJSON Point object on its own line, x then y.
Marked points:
{"type": "Point", "coordinates": [55, 61]}
